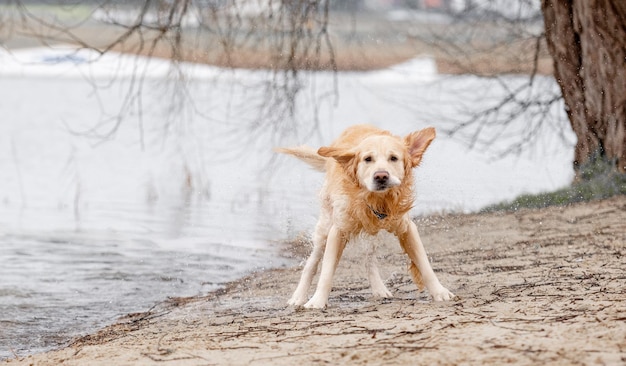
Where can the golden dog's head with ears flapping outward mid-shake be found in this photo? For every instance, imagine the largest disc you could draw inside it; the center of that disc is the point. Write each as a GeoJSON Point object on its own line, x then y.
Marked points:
{"type": "Point", "coordinates": [380, 162]}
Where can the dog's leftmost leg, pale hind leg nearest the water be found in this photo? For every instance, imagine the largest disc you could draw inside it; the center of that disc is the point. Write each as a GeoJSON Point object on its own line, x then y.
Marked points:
{"type": "Point", "coordinates": [320, 235]}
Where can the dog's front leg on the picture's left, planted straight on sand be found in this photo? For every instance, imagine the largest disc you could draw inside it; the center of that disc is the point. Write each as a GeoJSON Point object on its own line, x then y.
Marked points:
{"type": "Point", "coordinates": [334, 248]}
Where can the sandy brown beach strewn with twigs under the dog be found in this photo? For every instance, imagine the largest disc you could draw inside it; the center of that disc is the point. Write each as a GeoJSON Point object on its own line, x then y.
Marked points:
{"type": "Point", "coordinates": [535, 287]}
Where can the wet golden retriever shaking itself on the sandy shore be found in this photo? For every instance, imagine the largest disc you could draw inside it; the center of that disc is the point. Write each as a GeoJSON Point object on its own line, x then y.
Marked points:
{"type": "Point", "coordinates": [368, 188]}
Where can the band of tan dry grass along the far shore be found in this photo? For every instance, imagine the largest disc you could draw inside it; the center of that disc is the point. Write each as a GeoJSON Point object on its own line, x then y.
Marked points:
{"type": "Point", "coordinates": [345, 53]}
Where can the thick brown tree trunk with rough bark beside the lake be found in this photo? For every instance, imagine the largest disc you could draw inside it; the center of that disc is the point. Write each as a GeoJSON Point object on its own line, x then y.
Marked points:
{"type": "Point", "coordinates": [587, 39]}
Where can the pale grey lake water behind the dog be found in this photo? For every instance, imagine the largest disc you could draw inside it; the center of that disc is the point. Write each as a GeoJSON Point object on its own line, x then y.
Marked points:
{"type": "Point", "coordinates": [186, 194]}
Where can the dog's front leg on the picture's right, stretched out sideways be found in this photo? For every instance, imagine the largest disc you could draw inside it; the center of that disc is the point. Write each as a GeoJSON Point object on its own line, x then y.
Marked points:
{"type": "Point", "coordinates": [412, 245]}
